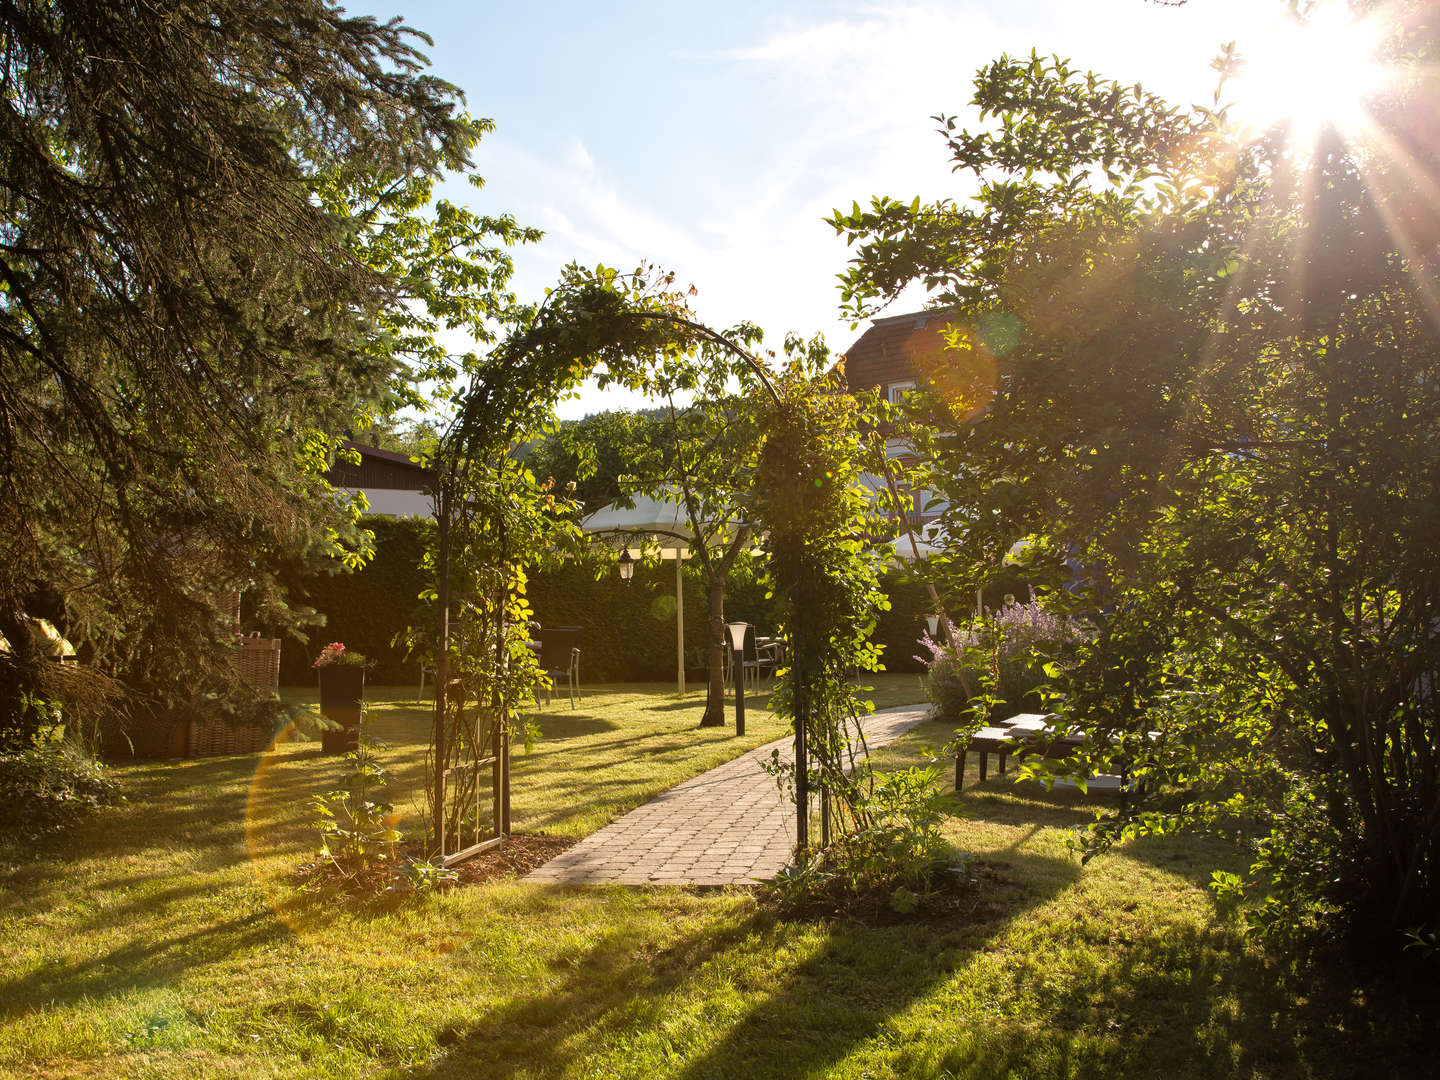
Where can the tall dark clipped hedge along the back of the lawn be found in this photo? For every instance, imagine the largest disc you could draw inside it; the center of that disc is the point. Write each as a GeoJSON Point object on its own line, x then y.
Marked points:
{"type": "Point", "coordinates": [630, 631]}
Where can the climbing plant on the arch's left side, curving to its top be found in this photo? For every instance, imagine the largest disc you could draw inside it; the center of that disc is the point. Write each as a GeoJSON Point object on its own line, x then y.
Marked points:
{"type": "Point", "coordinates": [495, 519]}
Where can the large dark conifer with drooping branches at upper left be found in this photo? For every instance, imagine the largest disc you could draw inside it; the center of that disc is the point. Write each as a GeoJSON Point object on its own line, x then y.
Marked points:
{"type": "Point", "coordinates": [208, 234]}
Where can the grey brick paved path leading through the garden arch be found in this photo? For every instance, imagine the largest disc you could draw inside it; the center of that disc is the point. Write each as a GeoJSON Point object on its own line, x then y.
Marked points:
{"type": "Point", "coordinates": [726, 827]}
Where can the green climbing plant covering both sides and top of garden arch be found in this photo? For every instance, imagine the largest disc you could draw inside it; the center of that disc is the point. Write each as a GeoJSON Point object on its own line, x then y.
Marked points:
{"type": "Point", "coordinates": [496, 516]}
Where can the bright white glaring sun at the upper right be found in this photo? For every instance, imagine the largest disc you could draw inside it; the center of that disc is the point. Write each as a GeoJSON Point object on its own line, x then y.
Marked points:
{"type": "Point", "coordinates": [1310, 74]}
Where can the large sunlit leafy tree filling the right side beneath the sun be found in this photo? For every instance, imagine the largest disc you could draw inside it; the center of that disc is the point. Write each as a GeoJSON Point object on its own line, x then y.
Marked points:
{"type": "Point", "coordinates": [1203, 365]}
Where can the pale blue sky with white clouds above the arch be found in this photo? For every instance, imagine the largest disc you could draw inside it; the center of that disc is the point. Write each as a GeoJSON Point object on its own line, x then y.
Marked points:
{"type": "Point", "coordinates": [714, 140]}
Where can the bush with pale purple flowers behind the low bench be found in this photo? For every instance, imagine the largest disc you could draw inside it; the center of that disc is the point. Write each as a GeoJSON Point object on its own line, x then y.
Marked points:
{"type": "Point", "coordinates": [1002, 653]}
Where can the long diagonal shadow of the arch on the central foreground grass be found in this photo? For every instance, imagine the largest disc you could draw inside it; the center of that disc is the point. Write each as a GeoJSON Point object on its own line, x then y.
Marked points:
{"type": "Point", "coordinates": [798, 1020]}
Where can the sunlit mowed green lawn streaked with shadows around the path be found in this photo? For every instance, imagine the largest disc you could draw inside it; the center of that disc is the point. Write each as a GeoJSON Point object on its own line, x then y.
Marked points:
{"type": "Point", "coordinates": [166, 940]}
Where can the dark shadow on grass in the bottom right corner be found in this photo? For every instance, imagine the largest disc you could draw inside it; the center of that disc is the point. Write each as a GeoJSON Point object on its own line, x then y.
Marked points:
{"type": "Point", "coordinates": [1194, 1003]}
